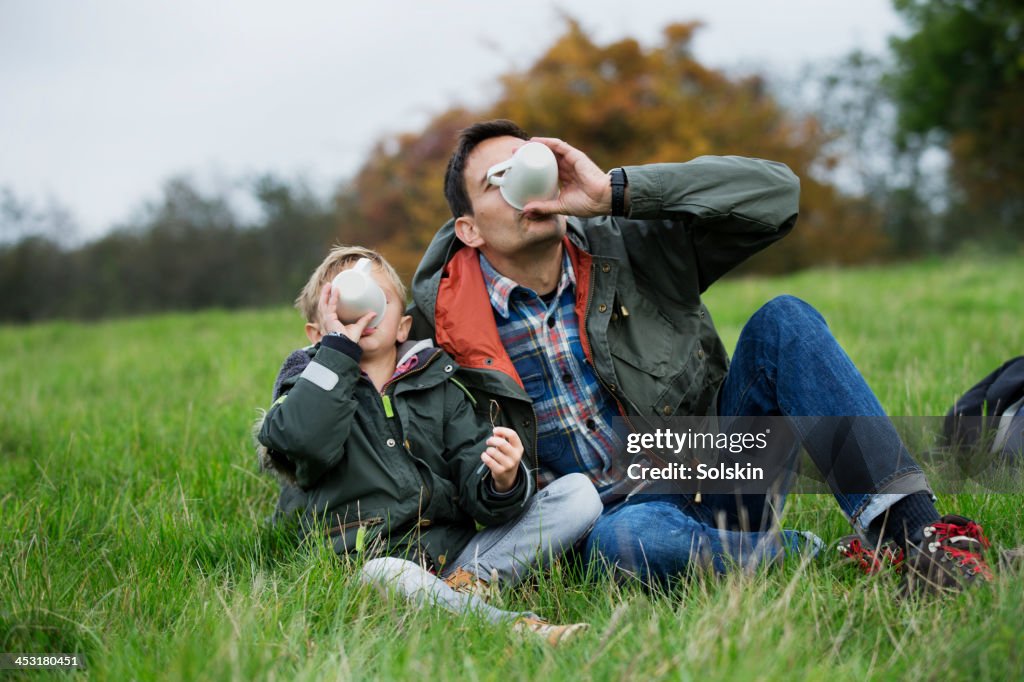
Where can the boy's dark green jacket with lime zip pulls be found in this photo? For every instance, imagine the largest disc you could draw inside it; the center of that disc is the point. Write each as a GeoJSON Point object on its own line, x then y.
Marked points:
{"type": "Point", "coordinates": [397, 473]}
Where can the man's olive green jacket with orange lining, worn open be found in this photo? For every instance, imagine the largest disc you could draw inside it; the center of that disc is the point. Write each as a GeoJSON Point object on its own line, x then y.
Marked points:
{"type": "Point", "coordinates": [639, 281]}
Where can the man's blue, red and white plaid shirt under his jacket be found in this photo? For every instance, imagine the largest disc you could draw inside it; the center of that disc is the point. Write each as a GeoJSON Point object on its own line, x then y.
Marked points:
{"type": "Point", "coordinates": [574, 411]}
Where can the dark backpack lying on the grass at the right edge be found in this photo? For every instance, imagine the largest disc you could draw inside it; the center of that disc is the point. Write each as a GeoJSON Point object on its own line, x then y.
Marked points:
{"type": "Point", "coordinates": [982, 418]}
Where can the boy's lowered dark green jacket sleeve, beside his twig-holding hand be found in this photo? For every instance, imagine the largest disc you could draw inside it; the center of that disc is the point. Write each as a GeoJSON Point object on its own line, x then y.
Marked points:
{"type": "Point", "coordinates": [465, 439]}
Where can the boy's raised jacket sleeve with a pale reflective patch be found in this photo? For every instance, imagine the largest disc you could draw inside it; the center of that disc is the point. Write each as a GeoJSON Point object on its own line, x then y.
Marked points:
{"type": "Point", "coordinates": [310, 422]}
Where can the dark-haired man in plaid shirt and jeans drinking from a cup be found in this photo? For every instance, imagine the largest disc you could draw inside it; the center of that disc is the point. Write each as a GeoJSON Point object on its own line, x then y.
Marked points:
{"type": "Point", "coordinates": [567, 323]}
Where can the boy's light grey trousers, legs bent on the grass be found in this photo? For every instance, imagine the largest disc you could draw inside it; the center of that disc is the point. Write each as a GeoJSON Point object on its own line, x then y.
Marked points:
{"type": "Point", "coordinates": [551, 524]}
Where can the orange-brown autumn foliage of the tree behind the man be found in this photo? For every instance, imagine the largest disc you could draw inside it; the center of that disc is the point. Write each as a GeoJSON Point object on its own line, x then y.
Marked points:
{"type": "Point", "coordinates": [622, 105]}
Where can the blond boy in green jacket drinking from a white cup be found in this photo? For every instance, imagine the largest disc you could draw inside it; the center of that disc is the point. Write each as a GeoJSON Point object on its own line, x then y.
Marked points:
{"type": "Point", "coordinates": [377, 441]}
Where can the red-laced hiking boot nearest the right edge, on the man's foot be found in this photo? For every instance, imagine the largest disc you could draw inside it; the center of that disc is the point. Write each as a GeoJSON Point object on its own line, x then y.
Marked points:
{"type": "Point", "coordinates": [949, 558]}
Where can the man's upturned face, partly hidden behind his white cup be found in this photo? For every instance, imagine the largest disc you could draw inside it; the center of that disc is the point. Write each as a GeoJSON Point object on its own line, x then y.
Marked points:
{"type": "Point", "coordinates": [496, 227]}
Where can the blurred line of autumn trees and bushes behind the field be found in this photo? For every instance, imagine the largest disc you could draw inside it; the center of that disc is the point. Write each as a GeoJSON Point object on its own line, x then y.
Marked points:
{"type": "Point", "coordinates": [952, 91]}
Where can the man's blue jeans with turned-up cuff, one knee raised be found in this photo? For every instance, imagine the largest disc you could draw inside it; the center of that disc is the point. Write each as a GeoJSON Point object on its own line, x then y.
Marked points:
{"type": "Point", "coordinates": [787, 364]}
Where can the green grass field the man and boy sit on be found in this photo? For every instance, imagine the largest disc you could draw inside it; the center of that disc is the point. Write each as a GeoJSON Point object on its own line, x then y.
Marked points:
{"type": "Point", "coordinates": [133, 519]}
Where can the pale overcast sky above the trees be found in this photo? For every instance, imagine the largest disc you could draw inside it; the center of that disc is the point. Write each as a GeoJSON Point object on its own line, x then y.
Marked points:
{"type": "Point", "coordinates": [102, 101]}
